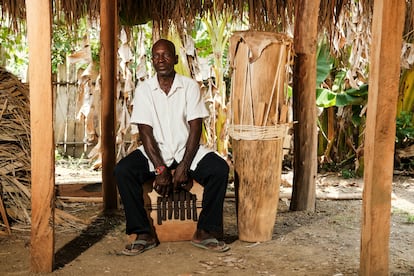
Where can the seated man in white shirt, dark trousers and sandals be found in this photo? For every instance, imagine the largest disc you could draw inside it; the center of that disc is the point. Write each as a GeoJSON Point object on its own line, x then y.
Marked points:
{"type": "Point", "coordinates": [169, 110]}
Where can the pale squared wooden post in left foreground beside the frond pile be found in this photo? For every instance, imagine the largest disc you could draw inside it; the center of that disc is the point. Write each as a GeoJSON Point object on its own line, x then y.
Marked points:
{"type": "Point", "coordinates": [42, 136]}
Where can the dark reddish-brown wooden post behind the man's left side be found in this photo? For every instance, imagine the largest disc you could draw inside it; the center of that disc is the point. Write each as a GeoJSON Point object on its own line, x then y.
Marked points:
{"type": "Point", "coordinates": [109, 38]}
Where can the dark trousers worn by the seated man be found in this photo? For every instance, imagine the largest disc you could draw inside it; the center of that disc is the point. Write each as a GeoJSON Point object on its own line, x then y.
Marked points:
{"type": "Point", "coordinates": [133, 171]}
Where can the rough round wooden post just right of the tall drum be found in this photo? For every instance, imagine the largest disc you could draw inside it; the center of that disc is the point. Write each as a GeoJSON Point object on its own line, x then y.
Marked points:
{"type": "Point", "coordinates": [304, 106]}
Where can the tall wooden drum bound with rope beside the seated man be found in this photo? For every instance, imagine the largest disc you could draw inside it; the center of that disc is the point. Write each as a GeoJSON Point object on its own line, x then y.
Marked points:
{"type": "Point", "coordinates": [258, 124]}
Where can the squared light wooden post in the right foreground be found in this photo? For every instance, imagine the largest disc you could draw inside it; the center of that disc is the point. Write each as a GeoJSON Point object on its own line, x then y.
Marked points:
{"type": "Point", "coordinates": [384, 76]}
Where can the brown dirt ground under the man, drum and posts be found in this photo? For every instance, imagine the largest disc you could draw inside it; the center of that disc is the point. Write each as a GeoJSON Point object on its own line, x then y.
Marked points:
{"type": "Point", "coordinates": [324, 242]}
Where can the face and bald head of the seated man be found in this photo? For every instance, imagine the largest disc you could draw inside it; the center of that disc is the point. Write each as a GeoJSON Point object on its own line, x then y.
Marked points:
{"type": "Point", "coordinates": [163, 59]}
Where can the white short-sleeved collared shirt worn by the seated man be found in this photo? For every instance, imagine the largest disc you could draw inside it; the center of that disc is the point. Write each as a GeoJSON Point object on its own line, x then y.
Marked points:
{"type": "Point", "coordinates": [168, 115]}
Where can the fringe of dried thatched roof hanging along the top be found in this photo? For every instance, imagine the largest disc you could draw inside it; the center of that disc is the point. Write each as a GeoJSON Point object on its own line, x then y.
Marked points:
{"type": "Point", "coordinates": [262, 14]}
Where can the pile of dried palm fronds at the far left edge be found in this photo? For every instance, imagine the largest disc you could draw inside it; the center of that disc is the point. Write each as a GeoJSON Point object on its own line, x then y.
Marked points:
{"type": "Point", "coordinates": [15, 146]}
